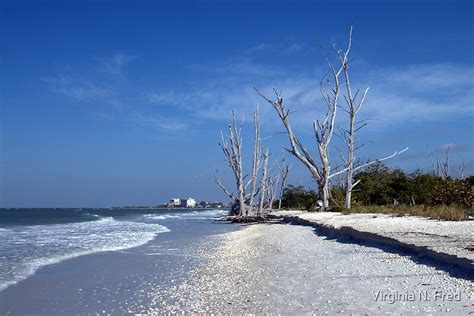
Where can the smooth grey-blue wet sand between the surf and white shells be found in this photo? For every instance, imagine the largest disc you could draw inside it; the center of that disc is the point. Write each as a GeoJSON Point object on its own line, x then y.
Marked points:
{"type": "Point", "coordinates": [113, 282]}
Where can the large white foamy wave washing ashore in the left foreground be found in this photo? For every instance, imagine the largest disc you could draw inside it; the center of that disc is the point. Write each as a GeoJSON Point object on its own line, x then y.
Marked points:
{"type": "Point", "coordinates": [25, 249]}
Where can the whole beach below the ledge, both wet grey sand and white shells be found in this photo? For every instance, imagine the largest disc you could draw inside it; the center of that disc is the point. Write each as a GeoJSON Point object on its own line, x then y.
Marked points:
{"type": "Point", "coordinates": [213, 266]}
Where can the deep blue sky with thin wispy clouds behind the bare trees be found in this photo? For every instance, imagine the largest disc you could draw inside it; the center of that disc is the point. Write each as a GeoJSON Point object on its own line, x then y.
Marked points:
{"type": "Point", "coordinates": [118, 102]}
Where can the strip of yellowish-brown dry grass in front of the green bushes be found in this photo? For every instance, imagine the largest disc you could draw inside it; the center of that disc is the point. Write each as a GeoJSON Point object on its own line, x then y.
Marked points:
{"type": "Point", "coordinates": [441, 212]}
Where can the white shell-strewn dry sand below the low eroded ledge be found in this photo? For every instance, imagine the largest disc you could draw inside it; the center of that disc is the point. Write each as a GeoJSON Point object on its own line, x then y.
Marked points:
{"type": "Point", "coordinates": [277, 268]}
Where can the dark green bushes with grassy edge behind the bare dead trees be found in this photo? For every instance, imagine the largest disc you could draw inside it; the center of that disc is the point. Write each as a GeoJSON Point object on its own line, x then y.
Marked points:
{"type": "Point", "coordinates": [382, 190]}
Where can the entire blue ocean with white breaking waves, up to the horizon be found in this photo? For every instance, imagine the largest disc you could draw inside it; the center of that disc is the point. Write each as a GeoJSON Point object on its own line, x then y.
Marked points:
{"type": "Point", "coordinates": [33, 238]}
